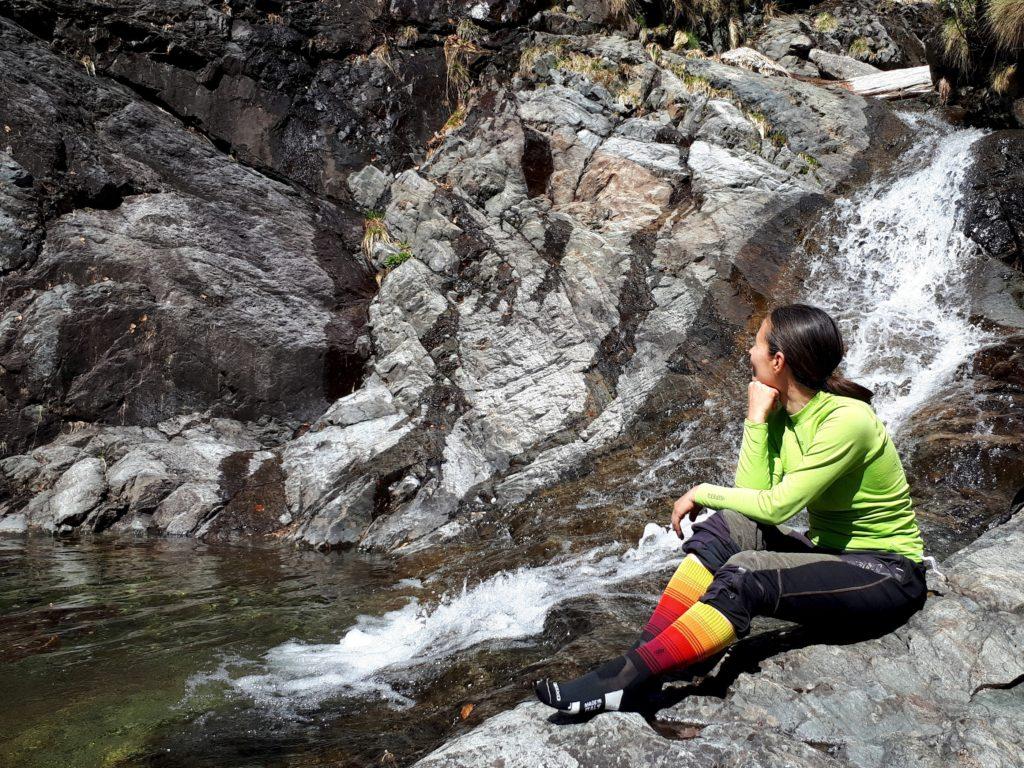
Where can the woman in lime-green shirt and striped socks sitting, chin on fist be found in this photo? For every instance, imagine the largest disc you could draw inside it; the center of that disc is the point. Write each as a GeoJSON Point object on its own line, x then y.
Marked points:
{"type": "Point", "coordinates": [810, 440]}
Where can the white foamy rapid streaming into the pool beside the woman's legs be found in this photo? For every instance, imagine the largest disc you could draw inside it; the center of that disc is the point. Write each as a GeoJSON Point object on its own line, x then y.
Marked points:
{"type": "Point", "coordinates": [506, 607]}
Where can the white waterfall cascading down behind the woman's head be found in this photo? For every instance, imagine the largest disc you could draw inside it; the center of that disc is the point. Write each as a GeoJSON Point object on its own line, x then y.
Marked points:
{"type": "Point", "coordinates": [893, 274]}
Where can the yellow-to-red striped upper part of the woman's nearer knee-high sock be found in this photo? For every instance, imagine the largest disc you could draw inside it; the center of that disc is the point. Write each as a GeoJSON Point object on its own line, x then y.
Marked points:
{"type": "Point", "coordinates": [698, 634]}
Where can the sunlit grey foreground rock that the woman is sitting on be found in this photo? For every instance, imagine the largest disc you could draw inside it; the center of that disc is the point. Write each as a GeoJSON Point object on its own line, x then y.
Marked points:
{"type": "Point", "coordinates": [945, 690]}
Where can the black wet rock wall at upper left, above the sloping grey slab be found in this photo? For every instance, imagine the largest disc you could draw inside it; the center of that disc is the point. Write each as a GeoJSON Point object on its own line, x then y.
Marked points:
{"type": "Point", "coordinates": [305, 91]}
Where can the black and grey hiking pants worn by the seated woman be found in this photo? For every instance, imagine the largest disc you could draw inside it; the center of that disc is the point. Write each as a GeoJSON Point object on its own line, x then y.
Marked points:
{"type": "Point", "coordinates": [776, 571]}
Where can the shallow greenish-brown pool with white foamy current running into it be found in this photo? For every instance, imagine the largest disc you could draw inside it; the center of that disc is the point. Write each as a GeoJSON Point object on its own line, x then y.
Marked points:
{"type": "Point", "coordinates": [172, 653]}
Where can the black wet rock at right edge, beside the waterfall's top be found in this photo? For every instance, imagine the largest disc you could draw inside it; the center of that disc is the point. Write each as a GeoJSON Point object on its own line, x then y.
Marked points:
{"type": "Point", "coordinates": [994, 216]}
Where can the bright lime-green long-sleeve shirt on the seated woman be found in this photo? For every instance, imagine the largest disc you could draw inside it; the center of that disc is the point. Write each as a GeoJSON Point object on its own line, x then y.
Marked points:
{"type": "Point", "coordinates": [835, 458]}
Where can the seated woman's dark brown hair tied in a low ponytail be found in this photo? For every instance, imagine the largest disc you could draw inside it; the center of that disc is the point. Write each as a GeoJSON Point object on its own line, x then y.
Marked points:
{"type": "Point", "coordinates": [812, 342]}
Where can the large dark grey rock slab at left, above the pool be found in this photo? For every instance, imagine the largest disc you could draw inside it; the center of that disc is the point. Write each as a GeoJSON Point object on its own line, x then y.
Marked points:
{"type": "Point", "coordinates": [170, 280]}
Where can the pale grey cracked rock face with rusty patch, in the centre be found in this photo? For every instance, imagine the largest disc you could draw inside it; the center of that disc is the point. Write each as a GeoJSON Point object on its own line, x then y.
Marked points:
{"type": "Point", "coordinates": [534, 307]}
